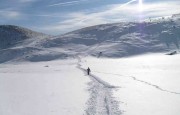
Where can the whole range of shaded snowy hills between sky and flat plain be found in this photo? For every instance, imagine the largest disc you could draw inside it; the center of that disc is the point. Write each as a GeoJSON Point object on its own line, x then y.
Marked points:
{"type": "Point", "coordinates": [108, 40]}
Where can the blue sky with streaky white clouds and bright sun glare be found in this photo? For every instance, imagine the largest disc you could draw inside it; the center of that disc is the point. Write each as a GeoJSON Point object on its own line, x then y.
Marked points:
{"type": "Point", "coordinates": [61, 16]}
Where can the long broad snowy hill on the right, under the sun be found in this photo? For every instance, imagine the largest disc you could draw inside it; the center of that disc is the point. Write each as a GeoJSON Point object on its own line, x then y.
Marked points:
{"type": "Point", "coordinates": [122, 39]}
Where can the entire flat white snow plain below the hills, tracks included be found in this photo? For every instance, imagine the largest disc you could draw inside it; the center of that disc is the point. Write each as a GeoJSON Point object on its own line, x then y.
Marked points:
{"type": "Point", "coordinates": [141, 85]}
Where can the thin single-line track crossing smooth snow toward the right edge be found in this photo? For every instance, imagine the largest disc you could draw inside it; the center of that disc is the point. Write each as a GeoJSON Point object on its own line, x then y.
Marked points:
{"type": "Point", "coordinates": [147, 83]}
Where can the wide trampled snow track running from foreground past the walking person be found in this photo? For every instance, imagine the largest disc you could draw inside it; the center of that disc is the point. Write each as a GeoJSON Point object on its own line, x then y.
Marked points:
{"type": "Point", "coordinates": [101, 101]}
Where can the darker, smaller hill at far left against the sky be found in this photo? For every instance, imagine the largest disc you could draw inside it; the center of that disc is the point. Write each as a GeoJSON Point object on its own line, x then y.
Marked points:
{"type": "Point", "coordinates": [11, 35]}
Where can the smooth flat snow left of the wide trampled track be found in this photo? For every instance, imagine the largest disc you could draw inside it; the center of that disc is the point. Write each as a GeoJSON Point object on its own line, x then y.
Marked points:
{"type": "Point", "coordinates": [43, 88]}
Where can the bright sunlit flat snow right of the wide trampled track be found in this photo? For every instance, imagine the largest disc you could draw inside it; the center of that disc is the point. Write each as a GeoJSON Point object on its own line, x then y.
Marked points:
{"type": "Point", "coordinates": [146, 84]}
